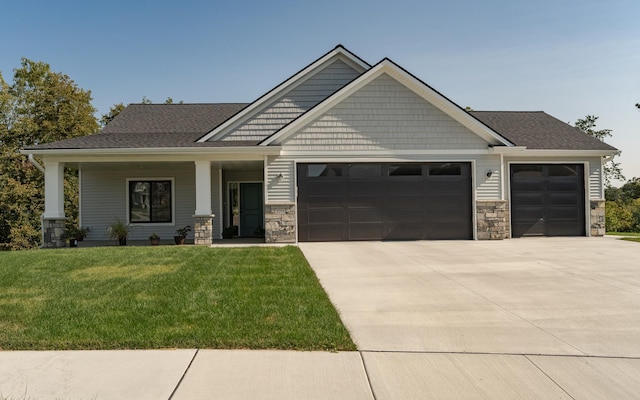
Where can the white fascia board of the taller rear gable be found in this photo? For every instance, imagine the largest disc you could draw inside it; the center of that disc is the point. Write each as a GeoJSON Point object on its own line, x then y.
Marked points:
{"type": "Point", "coordinates": [338, 53]}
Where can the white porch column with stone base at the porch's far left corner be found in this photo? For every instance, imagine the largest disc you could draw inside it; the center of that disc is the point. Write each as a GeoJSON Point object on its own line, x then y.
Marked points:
{"type": "Point", "coordinates": [53, 218]}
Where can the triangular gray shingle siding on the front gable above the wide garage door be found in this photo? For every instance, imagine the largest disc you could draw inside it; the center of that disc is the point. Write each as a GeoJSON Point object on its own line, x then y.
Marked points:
{"type": "Point", "coordinates": [384, 115]}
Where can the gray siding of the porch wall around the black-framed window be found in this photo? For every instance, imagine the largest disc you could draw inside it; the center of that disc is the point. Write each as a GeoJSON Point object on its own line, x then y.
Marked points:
{"type": "Point", "coordinates": [104, 197]}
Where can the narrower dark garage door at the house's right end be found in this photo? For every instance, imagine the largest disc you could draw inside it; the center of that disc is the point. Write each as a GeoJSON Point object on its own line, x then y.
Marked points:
{"type": "Point", "coordinates": [547, 200]}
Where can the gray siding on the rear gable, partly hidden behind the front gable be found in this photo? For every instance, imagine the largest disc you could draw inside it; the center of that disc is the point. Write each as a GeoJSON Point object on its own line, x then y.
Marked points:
{"type": "Point", "coordinates": [292, 104]}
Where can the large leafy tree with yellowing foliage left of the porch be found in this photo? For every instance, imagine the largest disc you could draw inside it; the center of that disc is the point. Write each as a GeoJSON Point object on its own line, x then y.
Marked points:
{"type": "Point", "coordinates": [39, 106]}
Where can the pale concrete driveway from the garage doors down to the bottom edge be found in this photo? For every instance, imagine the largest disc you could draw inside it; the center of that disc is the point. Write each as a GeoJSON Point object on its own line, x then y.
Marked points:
{"type": "Point", "coordinates": [530, 318]}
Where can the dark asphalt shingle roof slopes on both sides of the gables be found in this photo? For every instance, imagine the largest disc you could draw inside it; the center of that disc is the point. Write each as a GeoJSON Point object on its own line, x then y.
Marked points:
{"type": "Point", "coordinates": [181, 125]}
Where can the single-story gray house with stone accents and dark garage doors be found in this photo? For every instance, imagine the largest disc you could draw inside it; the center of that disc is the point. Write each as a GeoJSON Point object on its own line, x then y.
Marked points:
{"type": "Point", "coordinates": [342, 150]}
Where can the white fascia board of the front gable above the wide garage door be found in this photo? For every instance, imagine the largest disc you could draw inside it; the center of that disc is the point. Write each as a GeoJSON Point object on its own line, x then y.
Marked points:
{"type": "Point", "coordinates": [387, 66]}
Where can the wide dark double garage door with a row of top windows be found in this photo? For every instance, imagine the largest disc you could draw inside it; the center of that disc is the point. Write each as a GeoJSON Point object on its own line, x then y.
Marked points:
{"type": "Point", "coordinates": [375, 201]}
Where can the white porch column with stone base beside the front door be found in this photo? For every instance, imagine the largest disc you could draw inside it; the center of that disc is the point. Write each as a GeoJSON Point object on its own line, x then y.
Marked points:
{"type": "Point", "coordinates": [203, 218]}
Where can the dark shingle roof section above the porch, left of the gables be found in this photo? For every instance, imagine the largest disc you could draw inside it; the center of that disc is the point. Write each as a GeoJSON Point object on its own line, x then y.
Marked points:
{"type": "Point", "coordinates": [156, 126]}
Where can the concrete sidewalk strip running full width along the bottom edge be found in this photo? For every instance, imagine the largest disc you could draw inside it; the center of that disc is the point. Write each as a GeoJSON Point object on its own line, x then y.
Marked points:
{"type": "Point", "coordinates": [272, 374]}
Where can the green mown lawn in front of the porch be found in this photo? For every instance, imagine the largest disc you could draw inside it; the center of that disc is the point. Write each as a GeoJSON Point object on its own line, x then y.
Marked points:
{"type": "Point", "coordinates": [165, 297]}
